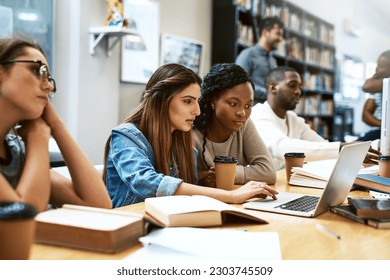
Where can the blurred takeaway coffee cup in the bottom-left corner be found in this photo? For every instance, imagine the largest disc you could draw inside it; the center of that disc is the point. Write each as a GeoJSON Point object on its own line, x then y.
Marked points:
{"type": "Point", "coordinates": [17, 230]}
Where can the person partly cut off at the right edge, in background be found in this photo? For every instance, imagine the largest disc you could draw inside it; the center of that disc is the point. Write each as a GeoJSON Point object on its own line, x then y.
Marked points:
{"type": "Point", "coordinates": [372, 110]}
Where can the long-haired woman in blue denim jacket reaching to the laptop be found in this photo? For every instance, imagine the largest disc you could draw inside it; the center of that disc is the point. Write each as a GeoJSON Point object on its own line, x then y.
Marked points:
{"type": "Point", "coordinates": [151, 153]}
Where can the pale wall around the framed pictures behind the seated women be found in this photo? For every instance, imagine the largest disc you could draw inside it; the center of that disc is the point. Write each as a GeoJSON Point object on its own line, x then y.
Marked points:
{"type": "Point", "coordinates": [90, 99]}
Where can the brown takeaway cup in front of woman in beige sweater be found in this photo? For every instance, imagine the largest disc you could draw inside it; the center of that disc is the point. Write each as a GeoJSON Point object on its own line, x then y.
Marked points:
{"type": "Point", "coordinates": [225, 172]}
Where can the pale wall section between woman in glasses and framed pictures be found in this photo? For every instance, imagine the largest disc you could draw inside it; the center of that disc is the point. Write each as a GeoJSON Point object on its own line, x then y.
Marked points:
{"type": "Point", "coordinates": [88, 94]}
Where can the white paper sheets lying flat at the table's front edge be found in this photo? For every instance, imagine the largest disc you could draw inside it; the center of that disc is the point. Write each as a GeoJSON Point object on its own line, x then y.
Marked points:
{"type": "Point", "coordinates": [197, 243]}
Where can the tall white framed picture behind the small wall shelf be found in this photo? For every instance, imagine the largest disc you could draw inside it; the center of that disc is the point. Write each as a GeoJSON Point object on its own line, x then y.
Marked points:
{"type": "Point", "coordinates": [140, 51]}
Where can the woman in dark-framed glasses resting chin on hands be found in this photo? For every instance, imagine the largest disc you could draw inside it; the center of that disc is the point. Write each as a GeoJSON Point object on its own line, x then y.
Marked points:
{"type": "Point", "coordinates": [25, 175]}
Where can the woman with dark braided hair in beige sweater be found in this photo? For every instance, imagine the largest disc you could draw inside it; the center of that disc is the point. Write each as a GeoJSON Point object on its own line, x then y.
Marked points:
{"type": "Point", "coordinates": [224, 128]}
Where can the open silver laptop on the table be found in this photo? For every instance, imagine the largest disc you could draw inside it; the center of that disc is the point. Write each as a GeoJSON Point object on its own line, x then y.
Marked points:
{"type": "Point", "coordinates": [336, 191]}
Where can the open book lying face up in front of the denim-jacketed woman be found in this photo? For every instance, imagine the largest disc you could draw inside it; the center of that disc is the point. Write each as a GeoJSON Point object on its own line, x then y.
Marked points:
{"type": "Point", "coordinates": [193, 211]}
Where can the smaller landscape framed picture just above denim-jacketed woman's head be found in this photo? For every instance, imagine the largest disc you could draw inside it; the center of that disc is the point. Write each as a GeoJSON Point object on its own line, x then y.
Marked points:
{"type": "Point", "coordinates": [187, 52]}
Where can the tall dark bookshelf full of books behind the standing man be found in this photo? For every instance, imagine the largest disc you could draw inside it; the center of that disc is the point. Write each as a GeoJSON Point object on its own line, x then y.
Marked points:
{"type": "Point", "coordinates": [308, 47]}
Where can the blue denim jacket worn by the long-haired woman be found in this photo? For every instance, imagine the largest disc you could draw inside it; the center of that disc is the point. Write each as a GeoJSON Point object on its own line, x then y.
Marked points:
{"type": "Point", "coordinates": [131, 174]}
